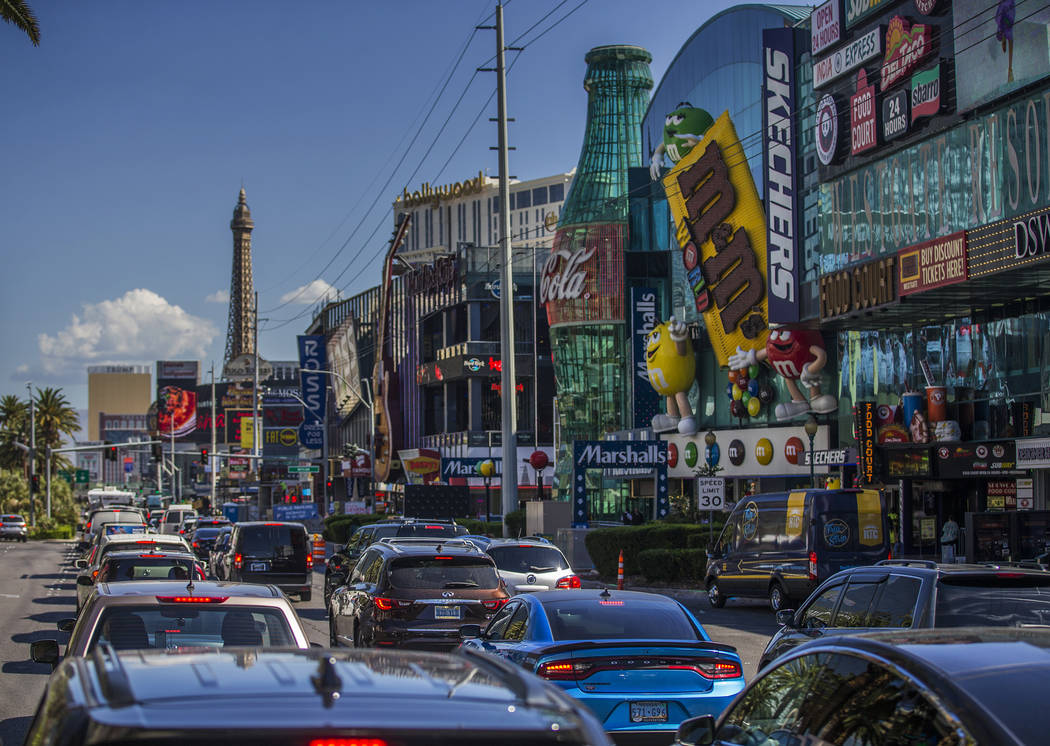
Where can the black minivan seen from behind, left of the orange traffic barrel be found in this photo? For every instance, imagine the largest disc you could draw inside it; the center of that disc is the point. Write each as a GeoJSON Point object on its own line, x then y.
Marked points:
{"type": "Point", "coordinates": [271, 552]}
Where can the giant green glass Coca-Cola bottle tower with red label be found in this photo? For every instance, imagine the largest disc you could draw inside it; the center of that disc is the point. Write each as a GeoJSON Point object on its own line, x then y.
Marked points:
{"type": "Point", "coordinates": [582, 285]}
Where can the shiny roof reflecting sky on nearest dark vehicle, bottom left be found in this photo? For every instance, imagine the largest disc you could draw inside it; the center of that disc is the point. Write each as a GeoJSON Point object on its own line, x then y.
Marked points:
{"type": "Point", "coordinates": [447, 696]}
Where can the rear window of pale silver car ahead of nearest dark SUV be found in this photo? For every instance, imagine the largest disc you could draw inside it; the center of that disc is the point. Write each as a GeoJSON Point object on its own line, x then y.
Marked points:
{"type": "Point", "coordinates": [176, 626]}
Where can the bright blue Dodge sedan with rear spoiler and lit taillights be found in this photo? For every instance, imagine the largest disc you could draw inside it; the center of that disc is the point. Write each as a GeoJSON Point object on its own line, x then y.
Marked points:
{"type": "Point", "coordinates": [641, 661]}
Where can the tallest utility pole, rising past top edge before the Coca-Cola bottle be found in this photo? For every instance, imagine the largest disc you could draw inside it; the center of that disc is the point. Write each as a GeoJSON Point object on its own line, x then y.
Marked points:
{"type": "Point", "coordinates": [509, 391]}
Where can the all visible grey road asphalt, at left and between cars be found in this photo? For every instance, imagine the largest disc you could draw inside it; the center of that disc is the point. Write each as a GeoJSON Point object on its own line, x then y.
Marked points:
{"type": "Point", "coordinates": [38, 590]}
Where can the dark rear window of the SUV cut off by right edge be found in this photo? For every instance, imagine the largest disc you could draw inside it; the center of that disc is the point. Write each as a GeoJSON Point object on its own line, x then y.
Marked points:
{"type": "Point", "coordinates": [1001, 599]}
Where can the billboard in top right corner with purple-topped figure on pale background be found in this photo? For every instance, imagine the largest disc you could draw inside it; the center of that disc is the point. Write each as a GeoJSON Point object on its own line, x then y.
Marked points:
{"type": "Point", "coordinates": [1000, 48]}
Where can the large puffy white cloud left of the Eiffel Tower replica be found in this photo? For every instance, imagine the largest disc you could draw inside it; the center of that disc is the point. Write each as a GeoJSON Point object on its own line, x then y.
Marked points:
{"type": "Point", "coordinates": [140, 326]}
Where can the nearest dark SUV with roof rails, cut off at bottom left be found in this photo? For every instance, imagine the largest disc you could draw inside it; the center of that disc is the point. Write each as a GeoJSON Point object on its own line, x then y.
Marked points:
{"type": "Point", "coordinates": [303, 697]}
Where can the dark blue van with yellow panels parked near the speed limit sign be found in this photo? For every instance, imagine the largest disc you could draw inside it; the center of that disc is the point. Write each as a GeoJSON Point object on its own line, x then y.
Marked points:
{"type": "Point", "coordinates": [782, 546]}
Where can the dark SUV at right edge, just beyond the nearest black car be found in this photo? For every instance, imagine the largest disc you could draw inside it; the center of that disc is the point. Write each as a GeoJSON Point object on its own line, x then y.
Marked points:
{"type": "Point", "coordinates": [915, 594]}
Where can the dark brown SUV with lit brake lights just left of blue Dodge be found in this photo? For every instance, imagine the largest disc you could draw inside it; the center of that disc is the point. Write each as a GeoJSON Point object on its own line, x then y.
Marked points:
{"type": "Point", "coordinates": [415, 593]}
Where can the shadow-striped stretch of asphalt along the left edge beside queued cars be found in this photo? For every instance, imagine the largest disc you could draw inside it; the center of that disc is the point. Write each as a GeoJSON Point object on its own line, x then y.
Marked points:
{"type": "Point", "coordinates": [37, 590]}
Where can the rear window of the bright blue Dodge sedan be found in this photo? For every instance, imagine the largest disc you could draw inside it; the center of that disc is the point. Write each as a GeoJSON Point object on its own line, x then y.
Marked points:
{"type": "Point", "coordinates": [607, 619]}
